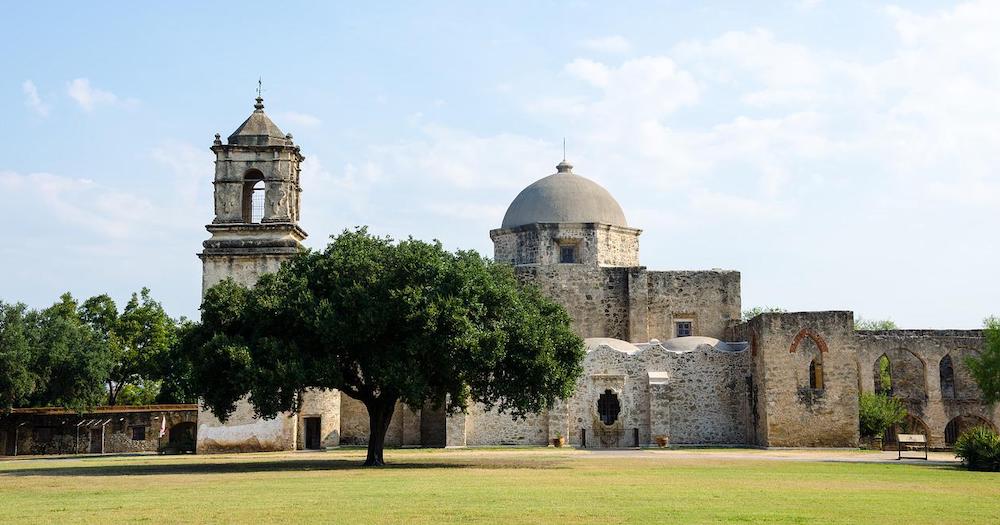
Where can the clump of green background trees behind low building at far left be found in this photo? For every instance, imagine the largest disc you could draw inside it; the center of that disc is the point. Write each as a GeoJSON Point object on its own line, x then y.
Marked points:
{"type": "Point", "coordinates": [81, 355]}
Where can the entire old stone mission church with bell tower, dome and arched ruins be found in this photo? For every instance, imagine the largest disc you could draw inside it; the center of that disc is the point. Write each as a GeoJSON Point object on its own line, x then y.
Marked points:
{"type": "Point", "coordinates": [669, 358]}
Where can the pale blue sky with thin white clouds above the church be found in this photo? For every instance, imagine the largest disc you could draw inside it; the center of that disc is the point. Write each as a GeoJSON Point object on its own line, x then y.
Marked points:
{"type": "Point", "coordinates": [842, 155]}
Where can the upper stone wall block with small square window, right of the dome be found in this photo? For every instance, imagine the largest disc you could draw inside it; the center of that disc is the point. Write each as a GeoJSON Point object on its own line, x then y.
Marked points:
{"type": "Point", "coordinates": [710, 299]}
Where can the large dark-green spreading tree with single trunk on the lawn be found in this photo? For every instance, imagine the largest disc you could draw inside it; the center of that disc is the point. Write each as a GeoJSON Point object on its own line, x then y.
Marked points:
{"type": "Point", "coordinates": [384, 321]}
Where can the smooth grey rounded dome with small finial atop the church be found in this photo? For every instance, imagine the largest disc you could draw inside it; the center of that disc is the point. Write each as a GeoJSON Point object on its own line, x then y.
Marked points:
{"type": "Point", "coordinates": [564, 197]}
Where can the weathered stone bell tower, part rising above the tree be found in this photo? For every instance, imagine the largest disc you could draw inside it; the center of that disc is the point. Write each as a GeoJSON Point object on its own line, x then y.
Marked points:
{"type": "Point", "coordinates": [257, 196]}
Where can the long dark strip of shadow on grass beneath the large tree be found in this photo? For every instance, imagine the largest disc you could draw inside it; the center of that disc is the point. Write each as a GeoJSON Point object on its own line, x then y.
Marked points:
{"type": "Point", "coordinates": [227, 466]}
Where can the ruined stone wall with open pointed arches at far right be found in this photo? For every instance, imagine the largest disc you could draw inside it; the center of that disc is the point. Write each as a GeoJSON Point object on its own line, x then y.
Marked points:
{"type": "Point", "coordinates": [915, 356]}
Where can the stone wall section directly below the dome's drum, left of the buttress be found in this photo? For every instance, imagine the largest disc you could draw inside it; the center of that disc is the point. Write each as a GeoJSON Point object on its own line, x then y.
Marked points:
{"type": "Point", "coordinates": [596, 298]}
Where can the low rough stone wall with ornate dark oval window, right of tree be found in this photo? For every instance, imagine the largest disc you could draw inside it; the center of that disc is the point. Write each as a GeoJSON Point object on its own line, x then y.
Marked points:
{"type": "Point", "coordinates": [690, 397]}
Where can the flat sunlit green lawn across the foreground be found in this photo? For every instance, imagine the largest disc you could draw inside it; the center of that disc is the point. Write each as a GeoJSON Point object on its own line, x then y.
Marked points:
{"type": "Point", "coordinates": [493, 486]}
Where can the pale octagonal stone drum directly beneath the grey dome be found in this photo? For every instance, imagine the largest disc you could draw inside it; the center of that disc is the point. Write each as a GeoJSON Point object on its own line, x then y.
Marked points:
{"type": "Point", "coordinates": [596, 244]}
